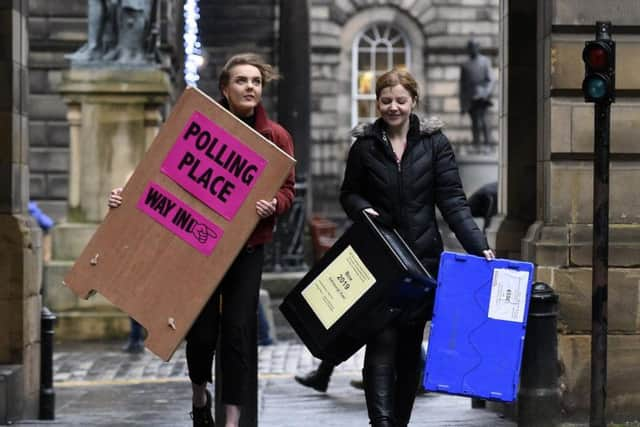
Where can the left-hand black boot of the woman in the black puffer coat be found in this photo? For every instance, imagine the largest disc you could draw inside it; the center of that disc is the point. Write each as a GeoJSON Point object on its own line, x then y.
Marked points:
{"type": "Point", "coordinates": [378, 390]}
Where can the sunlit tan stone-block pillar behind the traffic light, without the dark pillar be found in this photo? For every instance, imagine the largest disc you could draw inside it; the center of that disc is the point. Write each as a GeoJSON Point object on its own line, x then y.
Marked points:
{"type": "Point", "coordinates": [560, 241]}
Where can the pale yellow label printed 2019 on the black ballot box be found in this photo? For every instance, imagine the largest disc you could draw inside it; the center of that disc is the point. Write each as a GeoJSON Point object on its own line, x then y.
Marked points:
{"type": "Point", "coordinates": [338, 287]}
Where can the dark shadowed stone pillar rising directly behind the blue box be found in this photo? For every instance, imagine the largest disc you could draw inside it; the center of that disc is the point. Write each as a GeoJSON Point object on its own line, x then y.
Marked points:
{"type": "Point", "coordinates": [518, 127]}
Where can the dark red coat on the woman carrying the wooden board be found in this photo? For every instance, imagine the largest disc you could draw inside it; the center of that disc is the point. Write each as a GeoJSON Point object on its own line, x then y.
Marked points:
{"type": "Point", "coordinates": [271, 130]}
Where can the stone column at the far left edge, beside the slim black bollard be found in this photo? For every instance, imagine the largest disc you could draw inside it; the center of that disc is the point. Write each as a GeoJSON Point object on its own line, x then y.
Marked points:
{"type": "Point", "coordinates": [20, 239]}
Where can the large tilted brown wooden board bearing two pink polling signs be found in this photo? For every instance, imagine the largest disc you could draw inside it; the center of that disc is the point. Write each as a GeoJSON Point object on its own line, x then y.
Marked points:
{"type": "Point", "coordinates": [188, 210]}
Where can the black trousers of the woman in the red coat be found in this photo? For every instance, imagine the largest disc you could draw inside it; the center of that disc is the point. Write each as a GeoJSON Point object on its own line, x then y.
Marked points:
{"type": "Point", "coordinates": [232, 310]}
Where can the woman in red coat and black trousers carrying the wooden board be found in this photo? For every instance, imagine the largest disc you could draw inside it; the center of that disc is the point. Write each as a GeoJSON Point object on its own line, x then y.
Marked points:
{"type": "Point", "coordinates": [241, 82]}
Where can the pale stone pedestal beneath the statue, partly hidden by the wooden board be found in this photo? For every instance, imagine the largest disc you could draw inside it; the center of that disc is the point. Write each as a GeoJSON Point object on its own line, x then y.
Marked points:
{"type": "Point", "coordinates": [113, 115]}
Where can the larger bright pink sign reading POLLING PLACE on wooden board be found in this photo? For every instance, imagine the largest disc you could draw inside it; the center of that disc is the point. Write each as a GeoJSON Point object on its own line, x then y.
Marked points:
{"type": "Point", "coordinates": [213, 165]}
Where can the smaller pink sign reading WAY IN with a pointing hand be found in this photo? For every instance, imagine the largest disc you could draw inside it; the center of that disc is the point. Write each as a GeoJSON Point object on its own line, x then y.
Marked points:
{"type": "Point", "coordinates": [177, 217]}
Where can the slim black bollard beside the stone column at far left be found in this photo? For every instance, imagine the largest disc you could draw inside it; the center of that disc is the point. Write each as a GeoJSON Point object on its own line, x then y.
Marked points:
{"type": "Point", "coordinates": [47, 408]}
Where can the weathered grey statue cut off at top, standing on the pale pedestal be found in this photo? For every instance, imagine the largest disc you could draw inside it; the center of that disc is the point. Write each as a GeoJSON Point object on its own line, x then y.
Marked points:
{"type": "Point", "coordinates": [119, 32]}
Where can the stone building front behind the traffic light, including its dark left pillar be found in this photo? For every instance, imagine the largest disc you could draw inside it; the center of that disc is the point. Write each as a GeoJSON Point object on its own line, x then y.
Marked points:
{"type": "Point", "coordinates": [546, 182]}
